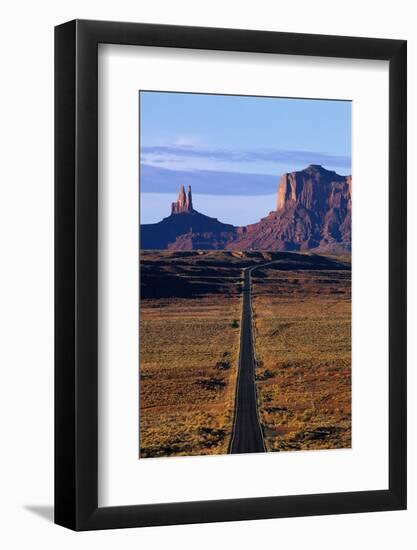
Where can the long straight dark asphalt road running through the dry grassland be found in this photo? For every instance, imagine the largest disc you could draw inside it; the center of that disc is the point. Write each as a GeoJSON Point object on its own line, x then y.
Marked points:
{"type": "Point", "coordinates": [247, 434]}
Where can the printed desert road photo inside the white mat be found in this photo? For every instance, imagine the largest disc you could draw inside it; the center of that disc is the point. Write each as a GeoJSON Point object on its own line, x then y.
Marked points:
{"type": "Point", "coordinates": [245, 278]}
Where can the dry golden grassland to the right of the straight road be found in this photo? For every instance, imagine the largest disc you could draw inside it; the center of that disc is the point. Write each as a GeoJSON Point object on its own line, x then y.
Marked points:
{"type": "Point", "coordinates": [302, 319]}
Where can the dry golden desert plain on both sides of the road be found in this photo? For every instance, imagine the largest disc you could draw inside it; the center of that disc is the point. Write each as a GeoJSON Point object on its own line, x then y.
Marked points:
{"type": "Point", "coordinates": [189, 348]}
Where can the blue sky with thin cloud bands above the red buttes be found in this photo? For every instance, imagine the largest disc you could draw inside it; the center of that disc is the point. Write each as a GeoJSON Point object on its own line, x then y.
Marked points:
{"type": "Point", "coordinates": [235, 148]}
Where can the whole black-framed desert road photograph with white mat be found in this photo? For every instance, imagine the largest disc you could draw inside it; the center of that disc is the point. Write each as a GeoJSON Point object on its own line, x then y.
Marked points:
{"type": "Point", "coordinates": [230, 275]}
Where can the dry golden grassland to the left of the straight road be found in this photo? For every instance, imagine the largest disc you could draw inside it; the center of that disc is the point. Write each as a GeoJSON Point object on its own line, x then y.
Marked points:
{"type": "Point", "coordinates": [189, 346]}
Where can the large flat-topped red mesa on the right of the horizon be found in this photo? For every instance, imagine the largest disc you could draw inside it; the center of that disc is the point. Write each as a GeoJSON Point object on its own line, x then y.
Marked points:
{"type": "Point", "coordinates": [313, 211]}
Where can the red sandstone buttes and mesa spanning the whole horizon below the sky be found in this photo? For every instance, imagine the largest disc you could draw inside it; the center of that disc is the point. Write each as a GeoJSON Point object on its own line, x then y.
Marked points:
{"type": "Point", "coordinates": [313, 212]}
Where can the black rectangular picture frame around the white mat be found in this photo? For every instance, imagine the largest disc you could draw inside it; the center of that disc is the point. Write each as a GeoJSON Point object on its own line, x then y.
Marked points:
{"type": "Point", "coordinates": [76, 273]}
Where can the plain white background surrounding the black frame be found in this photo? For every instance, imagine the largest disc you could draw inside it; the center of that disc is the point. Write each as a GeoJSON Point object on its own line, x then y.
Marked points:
{"type": "Point", "coordinates": [26, 288]}
